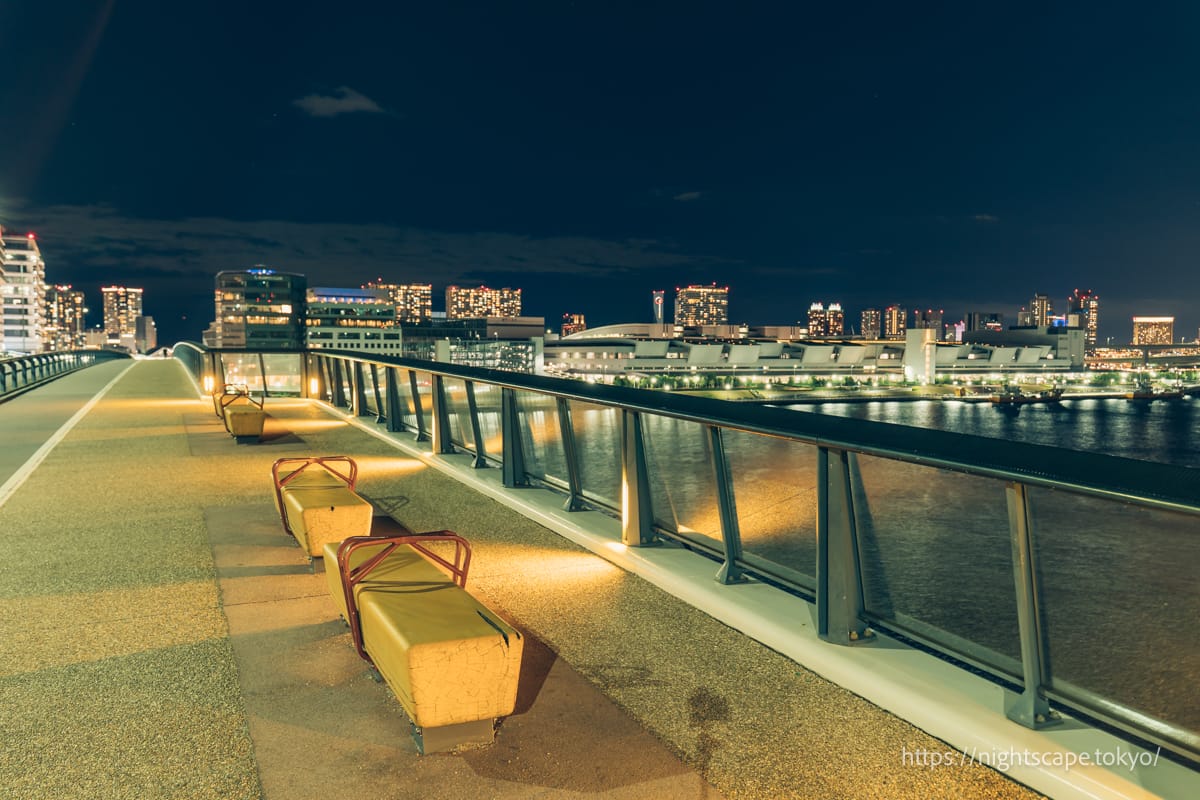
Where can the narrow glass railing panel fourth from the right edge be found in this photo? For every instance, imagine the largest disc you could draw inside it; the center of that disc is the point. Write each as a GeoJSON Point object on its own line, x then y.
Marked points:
{"type": "Point", "coordinates": [683, 491]}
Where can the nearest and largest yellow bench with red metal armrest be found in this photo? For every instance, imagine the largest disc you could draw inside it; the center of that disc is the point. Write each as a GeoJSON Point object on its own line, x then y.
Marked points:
{"type": "Point", "coordinates": [451, 661]}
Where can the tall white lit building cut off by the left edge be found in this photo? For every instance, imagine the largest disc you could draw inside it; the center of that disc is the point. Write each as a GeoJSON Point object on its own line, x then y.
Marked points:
{"type": "Point", "coordinates": [22, 294]}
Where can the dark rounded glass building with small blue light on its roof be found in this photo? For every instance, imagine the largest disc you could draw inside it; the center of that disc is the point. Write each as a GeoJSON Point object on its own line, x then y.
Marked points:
{"type": "Point", "coordinates": [259, 309]}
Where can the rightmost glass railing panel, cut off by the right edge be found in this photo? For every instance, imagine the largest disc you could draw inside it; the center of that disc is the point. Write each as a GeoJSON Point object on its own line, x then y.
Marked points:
{"type": "Point", "coordinates": [1119, 588]}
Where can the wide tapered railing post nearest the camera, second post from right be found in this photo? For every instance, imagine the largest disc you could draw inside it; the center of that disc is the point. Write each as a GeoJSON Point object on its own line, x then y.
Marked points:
{"type": "Point", "coordinates": [839, 574]}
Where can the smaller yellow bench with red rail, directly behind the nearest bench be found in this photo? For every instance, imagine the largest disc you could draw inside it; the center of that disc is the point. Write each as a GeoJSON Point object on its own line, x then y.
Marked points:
{"type": "Point", "coordinates": [317, 502]}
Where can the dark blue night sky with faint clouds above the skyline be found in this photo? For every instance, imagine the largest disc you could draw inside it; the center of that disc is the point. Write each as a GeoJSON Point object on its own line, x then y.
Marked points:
{"type": "Point", "coordinates": [958, 157]}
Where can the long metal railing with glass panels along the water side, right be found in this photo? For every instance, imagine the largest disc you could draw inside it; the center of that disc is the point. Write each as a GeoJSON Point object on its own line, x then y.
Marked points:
{"type": "Point", "coordinates": [1052, 572]}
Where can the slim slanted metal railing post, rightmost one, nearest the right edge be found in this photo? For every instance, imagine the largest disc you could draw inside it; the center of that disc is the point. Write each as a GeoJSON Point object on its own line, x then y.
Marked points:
{"type": "Point", "coordinates": [1030, 707]}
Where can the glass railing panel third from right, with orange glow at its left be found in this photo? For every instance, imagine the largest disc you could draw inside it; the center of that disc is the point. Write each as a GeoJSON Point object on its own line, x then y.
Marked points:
{"type": "Point", "coordinates": [776, 491]}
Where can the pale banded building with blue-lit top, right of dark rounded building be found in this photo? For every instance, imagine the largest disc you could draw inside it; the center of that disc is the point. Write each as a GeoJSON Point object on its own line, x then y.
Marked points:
{"type": "Point", "coordinates": [351, 320]}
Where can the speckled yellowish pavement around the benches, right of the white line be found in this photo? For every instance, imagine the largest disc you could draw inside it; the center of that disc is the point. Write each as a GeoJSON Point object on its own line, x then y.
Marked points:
{"type": "Point", "coordinates": [161, 639]}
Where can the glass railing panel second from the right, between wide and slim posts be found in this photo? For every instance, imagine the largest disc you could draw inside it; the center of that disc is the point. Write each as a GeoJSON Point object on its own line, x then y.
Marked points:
{"type": "Point", "coordinates": [938, 558]}
